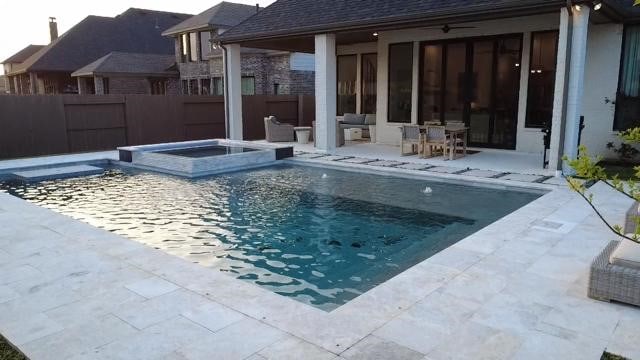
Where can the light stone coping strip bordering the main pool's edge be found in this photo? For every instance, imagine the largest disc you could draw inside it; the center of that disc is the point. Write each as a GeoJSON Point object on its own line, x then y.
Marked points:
{"type": "Point", "coordinates": [343, 327]}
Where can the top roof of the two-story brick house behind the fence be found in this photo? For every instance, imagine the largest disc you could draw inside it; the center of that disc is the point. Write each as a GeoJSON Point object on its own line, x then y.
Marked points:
{"type": "Point", "coordinates": [223, 15]}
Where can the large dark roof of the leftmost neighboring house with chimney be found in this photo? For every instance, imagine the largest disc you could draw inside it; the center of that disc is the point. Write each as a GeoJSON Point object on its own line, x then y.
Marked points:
{"type": "Point", "coordinates": [134, 31]}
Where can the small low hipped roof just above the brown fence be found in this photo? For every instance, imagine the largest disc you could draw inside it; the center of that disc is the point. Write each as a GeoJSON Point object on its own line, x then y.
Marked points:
{"type": "Point", "coordinates": [130, 64]}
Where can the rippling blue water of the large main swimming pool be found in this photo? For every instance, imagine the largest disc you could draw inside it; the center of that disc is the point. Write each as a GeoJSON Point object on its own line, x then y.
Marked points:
{"type": "Point", "coordinates": [320, 236]}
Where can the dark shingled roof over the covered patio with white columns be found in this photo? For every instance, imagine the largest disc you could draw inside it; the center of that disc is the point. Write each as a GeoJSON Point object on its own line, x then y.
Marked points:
{"type": "Point", "coordinates": [304, 17]}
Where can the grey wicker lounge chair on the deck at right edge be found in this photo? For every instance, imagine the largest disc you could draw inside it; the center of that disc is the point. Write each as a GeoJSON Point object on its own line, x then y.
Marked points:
{"type": "Point", "coordinates": [609, 282]}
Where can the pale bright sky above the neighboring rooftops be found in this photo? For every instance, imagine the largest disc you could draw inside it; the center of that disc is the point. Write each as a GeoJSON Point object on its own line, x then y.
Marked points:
{"type": "Point", "coordinates": [29, 19]}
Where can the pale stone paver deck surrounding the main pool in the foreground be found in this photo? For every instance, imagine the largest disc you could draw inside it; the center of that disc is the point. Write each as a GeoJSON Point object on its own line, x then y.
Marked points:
{"type": "Point", "coordinates": [514, 290]}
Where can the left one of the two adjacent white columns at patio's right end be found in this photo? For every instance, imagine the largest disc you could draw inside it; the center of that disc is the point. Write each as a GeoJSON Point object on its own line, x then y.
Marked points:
{"type": "Point", "coordinates": [559, 91]}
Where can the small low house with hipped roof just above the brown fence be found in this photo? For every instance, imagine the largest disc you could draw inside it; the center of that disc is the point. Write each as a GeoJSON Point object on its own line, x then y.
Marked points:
{"type": "Point", "coordinates": [126, 73]}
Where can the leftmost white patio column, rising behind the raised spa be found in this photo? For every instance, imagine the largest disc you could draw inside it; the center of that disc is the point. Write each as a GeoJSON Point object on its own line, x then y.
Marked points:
{"type": "Point", "coordinates": [234, 88]}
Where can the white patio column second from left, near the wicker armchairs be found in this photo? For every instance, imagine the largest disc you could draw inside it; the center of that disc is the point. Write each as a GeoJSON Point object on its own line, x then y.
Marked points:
{"type": "Point", "coordinates": [326, 92]}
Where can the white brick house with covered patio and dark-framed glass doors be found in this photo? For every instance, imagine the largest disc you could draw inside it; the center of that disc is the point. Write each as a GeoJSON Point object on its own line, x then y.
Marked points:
{"type": "Point", "coordinates": [508, 69]}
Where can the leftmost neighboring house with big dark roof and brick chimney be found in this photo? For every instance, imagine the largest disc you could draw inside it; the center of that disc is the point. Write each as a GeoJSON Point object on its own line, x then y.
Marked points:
{"type": "Point", "coordinates": [136, 31]}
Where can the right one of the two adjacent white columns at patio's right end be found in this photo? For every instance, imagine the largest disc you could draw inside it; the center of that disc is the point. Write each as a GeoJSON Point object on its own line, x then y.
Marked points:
{"type": "Point", "coordinates": [576, 82]}
